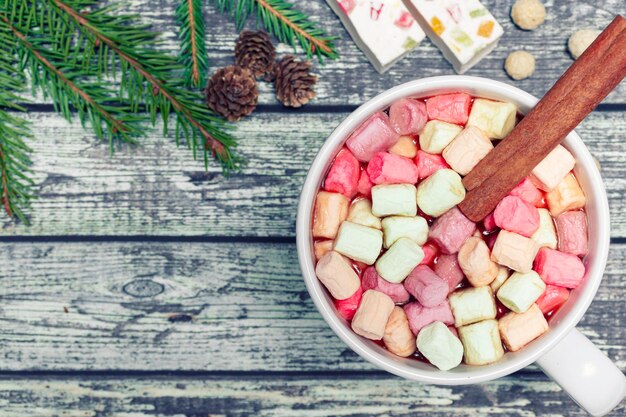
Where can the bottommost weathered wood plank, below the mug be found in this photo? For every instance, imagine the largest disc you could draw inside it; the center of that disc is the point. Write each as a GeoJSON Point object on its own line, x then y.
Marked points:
{"type": "Point", "coordinates": [281, 395]}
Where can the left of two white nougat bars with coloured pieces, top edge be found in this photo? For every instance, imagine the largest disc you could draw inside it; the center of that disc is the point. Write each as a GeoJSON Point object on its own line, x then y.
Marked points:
{"type": "Point", "coordinates": [383, 29]}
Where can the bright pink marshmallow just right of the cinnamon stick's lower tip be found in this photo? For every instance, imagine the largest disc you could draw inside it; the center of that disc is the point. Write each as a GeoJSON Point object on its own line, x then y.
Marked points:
{"type": "Point", "coordinates": [517, 216]}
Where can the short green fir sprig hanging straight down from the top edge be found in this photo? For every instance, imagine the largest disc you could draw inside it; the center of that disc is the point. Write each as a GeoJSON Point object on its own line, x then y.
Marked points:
{"type": "Point", "coordinates": [191, 34]}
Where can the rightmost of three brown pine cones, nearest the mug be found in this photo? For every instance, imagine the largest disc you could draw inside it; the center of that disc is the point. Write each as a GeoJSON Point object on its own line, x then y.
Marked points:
{"type": "Point", "coordinates": [294, 84]}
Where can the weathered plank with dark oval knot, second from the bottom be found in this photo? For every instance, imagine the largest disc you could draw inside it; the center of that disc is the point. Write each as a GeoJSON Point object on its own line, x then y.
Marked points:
{"type": "Point", "coordinates": [168, 306]}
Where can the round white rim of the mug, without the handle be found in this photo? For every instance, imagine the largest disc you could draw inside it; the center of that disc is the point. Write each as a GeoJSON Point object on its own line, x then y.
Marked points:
{"type": "Point", "coordinates": [480, 87]}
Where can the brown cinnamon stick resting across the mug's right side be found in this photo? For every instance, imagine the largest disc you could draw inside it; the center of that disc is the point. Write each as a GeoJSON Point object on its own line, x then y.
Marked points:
{"type": "Point", "coordinates": [581, 88]}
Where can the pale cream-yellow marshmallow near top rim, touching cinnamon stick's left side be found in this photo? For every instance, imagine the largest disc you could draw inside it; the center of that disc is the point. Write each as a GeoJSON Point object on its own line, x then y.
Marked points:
{"type": "Point", "coordinates": [495, 118]}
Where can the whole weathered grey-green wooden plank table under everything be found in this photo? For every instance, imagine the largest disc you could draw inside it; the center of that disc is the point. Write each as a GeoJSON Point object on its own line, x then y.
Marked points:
{"type": "Point", "coordinates": [147, 286]}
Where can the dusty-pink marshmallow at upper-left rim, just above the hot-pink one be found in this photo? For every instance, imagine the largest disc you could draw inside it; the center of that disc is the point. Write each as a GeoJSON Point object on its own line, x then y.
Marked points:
{"type": "Point", "coordinates": [373, 136]}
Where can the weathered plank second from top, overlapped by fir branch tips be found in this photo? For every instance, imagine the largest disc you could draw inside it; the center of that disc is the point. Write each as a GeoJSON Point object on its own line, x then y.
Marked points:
{"type": "Point", "coordinates": [159, 190]}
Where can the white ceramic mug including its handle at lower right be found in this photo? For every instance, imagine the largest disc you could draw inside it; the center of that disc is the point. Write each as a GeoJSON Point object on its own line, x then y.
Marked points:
{"type": "Point", "coordinates": [563, 353]}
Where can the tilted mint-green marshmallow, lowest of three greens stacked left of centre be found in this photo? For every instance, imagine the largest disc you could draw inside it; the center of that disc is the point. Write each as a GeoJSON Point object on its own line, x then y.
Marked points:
{"type": "Point", "coordinates": [399, 260]}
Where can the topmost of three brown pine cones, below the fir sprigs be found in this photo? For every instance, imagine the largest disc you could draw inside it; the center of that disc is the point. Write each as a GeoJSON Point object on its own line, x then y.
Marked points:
{"type": "Point", "coordinates": [255, 51]}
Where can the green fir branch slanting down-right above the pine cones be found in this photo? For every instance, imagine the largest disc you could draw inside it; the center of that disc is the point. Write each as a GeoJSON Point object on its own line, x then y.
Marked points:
{"type": "Point", "coordinates": [283, 21]}
